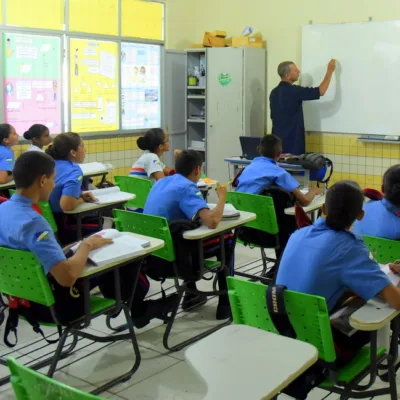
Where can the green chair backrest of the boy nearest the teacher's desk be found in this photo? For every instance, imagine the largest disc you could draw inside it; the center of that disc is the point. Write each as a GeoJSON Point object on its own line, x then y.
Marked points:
{"type": "Point", "coordinates": [263, 206]}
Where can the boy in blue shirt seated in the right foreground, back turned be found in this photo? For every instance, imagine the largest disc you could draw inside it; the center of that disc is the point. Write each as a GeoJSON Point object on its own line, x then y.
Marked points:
{"type": "Point", "coordinates": [326, 259]}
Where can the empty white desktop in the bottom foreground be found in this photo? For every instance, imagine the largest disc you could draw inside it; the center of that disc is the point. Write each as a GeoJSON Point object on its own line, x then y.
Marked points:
{"type": "Point", "coordinates": [240, 362]}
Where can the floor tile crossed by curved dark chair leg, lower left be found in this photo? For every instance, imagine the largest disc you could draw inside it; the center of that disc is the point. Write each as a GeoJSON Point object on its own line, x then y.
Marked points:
{"type": "Point", "coordinates": [108, 363]}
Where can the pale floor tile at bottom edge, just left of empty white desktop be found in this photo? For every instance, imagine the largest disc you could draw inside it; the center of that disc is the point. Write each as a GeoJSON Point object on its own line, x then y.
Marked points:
{"type": "Point", "coordinates": [178, 382]}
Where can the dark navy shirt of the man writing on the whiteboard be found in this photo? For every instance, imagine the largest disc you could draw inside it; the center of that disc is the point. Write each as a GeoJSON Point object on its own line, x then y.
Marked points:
{"type": "Point", "coordinates": [286, 102]}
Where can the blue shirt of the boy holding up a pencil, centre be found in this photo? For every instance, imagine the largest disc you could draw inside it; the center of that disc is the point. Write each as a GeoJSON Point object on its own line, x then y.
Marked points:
{"type": "Point", "coordinates": [175, 198]}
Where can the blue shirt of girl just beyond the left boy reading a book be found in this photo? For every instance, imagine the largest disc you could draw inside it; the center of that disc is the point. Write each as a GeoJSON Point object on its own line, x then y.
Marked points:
{"type": "Point", "coordinates": [68, 182]}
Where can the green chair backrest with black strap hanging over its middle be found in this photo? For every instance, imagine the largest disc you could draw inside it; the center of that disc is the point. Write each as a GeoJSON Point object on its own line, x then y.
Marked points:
{"type": "Point", "coordinates": [308, 314]}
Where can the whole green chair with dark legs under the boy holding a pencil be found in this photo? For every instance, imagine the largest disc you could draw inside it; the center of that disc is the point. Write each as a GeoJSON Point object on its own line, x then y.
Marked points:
{"type": "Point", "coordinates": [158, 227]}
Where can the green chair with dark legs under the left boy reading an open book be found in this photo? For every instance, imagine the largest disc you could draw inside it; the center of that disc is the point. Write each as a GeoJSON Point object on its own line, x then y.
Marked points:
{"type": "Point", "coordinates": [22, 276]}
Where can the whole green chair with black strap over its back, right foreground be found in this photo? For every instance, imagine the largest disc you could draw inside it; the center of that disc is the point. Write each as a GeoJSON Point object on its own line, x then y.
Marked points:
{"type": "Point", "coordinates": [310, 320]}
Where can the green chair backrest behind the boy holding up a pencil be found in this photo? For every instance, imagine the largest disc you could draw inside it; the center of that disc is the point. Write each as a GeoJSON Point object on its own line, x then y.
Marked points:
{"type": "Point", "coordinates": [148, 225]}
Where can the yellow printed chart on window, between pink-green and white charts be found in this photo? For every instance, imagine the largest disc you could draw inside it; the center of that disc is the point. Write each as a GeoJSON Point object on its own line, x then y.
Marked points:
{"type": "Point", "coordinates": [94, 85]}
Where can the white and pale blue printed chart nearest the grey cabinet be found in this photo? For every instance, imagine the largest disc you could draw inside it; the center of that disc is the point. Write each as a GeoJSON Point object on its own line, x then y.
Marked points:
{"type": "Point", "coordinates": [140, 76]}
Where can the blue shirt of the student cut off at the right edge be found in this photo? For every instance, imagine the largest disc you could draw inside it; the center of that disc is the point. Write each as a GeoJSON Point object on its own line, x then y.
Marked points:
{"type": "Point", "coordinates": [380, 220]}
